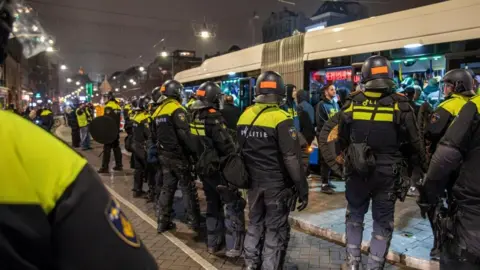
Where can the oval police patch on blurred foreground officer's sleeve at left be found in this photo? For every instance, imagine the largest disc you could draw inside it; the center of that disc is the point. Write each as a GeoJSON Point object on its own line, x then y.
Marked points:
{"type": "Point", "coordinates": [120, 224]}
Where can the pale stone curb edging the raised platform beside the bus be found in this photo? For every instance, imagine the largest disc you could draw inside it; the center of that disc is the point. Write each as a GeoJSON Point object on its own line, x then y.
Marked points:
{"type": "Point", "coordinates": [339, 238]}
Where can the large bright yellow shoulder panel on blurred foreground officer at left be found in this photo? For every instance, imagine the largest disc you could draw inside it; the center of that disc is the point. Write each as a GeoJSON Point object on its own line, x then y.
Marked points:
{"type": "Point", "coordinates": [34, 172]}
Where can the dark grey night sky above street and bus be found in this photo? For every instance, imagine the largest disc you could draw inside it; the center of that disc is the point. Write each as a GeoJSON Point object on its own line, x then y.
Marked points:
{"type": "Point", "coordinates": [104, 36]}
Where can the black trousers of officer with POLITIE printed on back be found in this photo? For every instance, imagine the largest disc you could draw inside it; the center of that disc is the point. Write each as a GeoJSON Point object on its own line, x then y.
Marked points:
{"type": "Point", "coordinates": [268, 230]}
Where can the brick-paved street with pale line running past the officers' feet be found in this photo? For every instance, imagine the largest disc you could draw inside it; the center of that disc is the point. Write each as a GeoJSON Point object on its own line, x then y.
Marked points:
{"type": "Point", "coordinates": [184, 249]}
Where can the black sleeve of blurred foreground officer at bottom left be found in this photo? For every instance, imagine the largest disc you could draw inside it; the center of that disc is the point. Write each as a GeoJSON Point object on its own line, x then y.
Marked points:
{"type": "Point", "coordinates": [83, 236]}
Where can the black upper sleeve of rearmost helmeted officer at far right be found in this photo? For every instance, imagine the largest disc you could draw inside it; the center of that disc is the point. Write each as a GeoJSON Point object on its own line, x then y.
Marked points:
{"type": "Point", "coordinates": [437, 126]}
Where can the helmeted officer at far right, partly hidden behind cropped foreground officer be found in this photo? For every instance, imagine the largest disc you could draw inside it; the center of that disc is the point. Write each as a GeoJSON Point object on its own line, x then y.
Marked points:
{"type": "Point", "coordinates": [455, 97]}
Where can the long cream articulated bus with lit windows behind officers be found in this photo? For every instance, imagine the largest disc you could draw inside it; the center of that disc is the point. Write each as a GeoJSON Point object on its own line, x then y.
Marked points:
{"type": "Point", "coordinates": [422, 44]}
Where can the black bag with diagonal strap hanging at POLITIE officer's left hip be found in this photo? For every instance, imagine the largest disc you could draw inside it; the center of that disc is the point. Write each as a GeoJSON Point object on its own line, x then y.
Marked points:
{"type": "Point", "coordinates": [233, 167]}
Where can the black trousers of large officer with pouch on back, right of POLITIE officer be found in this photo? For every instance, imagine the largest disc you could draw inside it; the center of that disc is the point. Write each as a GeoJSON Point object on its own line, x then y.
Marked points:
{"type": "Point", "coordinates": [378, 188]}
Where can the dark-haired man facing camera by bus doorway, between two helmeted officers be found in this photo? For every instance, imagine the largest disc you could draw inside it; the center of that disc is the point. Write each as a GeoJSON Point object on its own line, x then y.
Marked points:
{"type": "Point", "coordinates": [325, 110]}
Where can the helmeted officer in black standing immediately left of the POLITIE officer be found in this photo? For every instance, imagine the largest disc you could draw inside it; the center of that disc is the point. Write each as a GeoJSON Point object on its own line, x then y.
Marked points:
{"type": "Point", "coordinates": [215, 142]}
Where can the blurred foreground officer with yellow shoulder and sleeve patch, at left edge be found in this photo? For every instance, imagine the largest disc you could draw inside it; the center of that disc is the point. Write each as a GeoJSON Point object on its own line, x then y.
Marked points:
{"type": "Point", "coordinates": [55, 212]}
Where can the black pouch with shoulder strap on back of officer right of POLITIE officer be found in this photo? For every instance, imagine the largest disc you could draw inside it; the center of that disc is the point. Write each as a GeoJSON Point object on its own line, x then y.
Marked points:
{"type": "Point", "coordinates": [360, 156]}
